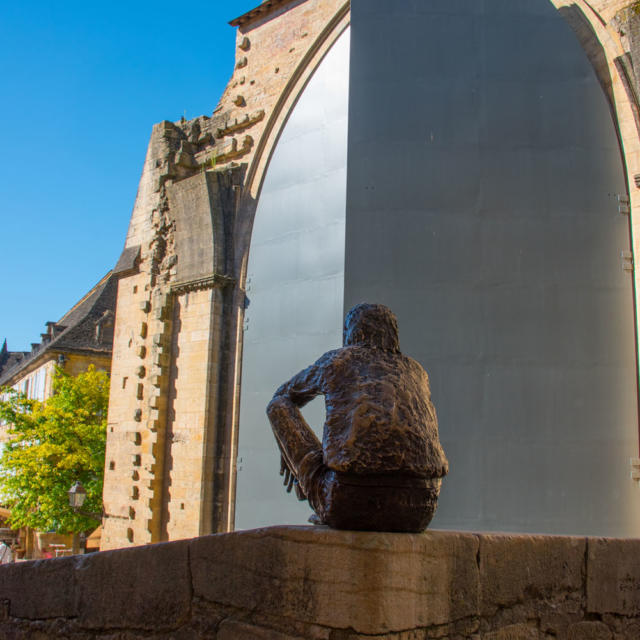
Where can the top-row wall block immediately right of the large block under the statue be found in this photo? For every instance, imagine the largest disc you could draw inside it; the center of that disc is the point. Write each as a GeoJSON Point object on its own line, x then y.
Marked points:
{"type": "Point", "coordinates": [515, 568]}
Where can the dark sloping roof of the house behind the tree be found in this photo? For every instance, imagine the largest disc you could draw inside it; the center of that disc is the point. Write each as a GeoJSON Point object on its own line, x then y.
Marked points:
{"type": "Point", "coordinates": [79, 330]}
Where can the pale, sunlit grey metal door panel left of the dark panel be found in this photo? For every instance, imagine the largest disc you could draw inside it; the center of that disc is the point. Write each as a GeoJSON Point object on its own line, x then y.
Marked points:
{"type": "Point", "coordinates": [295, 282]}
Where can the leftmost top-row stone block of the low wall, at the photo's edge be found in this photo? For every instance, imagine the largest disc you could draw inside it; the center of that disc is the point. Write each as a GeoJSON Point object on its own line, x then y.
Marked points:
{"type": "Point", "coordinates": [39, 589]}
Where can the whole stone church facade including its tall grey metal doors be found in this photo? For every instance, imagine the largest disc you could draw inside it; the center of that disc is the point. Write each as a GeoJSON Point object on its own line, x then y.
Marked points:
{"type": "Point", "coordinates": [473, 166]}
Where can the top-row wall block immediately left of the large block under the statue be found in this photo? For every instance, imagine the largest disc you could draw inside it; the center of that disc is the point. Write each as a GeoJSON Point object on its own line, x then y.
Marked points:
{"type": "Point", "coordinates": [140, 588]}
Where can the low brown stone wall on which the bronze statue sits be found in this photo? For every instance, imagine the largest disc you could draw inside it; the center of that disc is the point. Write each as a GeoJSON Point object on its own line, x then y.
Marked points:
{"type": "Point", "coordinates": [288, 583]}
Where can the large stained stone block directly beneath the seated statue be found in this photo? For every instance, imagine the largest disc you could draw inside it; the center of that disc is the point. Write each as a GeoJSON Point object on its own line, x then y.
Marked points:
{"type": "Point", "coordinates": [369, 582]}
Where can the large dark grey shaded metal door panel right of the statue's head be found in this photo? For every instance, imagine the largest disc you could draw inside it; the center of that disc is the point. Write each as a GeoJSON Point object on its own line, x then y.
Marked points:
{"type": "Point", "coordinates": [482, 173]}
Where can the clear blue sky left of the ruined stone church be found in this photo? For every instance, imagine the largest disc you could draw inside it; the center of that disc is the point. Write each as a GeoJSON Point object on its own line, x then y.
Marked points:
{"type": "Point", "coordinates": [81, 85]}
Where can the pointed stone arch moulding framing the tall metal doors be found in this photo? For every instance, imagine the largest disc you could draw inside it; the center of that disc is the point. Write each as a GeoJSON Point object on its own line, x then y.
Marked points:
{"type": "Point", "coordinates": [599, 40]}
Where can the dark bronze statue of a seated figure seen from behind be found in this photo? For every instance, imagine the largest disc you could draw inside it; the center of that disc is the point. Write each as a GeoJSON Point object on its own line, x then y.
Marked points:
{"type": "Point", "coordinates": [380, 464]}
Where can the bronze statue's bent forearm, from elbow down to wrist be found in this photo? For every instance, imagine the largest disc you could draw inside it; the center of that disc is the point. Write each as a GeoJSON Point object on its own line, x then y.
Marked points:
{"type": "Point", "coordinates": [299, 446]}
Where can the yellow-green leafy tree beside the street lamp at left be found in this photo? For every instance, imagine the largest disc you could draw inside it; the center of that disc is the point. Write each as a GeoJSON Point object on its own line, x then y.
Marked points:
{"type": "Point", "coordinates": [51, 445]}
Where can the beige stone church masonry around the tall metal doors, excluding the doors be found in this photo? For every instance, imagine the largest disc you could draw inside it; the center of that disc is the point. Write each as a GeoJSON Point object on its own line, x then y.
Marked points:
{"type": "Point", "coordinates": [172, 444]}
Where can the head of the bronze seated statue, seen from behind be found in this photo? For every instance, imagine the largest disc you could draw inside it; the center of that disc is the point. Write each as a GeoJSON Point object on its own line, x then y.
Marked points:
{"type": "Point", "coordinates": [371, 325]}
